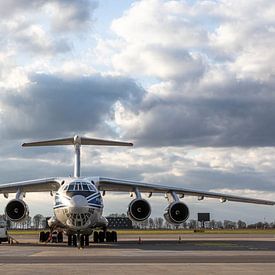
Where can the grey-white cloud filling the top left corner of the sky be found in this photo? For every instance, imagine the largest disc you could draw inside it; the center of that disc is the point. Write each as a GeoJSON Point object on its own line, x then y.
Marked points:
{"type": "Point", "coordinates": [43, 29]}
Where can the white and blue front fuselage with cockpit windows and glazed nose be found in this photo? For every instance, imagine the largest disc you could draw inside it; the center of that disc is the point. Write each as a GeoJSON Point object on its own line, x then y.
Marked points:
{"type": "Point", "coordinates": [78, 207]}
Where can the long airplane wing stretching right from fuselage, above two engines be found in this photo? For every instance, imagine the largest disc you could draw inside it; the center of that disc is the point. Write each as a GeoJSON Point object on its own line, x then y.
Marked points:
{"type": "Point", "coordinates": [108, 184]}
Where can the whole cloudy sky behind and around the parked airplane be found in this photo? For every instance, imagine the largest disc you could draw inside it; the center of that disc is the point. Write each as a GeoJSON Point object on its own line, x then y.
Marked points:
{"type": "Point", "coordinates": [190, 83]}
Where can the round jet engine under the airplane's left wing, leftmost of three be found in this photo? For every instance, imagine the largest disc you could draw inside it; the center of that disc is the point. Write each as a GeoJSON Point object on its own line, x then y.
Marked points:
{"type": "Point", "coordinates": [17, 210]}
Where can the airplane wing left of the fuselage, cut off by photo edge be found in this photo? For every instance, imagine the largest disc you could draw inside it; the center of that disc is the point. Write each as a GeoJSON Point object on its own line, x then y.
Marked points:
{"type": "Point", "coordinates": [38, 185]}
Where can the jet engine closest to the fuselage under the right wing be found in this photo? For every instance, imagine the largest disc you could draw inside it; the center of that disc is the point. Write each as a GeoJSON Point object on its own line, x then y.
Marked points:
{"type": "Point", "coordinates": [139, 210]}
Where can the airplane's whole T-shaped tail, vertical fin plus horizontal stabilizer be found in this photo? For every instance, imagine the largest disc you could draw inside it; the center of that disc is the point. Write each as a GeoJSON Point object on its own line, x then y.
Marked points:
{"type": "Point", "coordinates": [77, 141]}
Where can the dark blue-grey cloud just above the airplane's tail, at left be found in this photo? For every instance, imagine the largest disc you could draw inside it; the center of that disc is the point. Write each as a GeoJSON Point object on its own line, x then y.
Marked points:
{"type": "Point", "coordinates": [51, 105]}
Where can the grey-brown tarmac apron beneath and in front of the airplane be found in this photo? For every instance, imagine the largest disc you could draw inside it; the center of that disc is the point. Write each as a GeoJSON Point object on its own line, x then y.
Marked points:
{"type": "Point", "coordinates": [136, 254]}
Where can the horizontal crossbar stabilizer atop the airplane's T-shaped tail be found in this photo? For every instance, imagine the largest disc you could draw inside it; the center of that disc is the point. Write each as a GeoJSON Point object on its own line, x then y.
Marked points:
{"type": "Point", "coordinates": [77, 140]}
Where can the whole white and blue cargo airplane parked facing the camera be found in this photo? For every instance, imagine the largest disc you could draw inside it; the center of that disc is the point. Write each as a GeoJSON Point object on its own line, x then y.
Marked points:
{"type": "Point", "coordinates": [78, 203]}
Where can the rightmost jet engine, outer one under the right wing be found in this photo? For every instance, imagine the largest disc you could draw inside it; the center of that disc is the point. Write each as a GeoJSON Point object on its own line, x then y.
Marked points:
{"type": "Point", "coordinates": [176, 213]}
